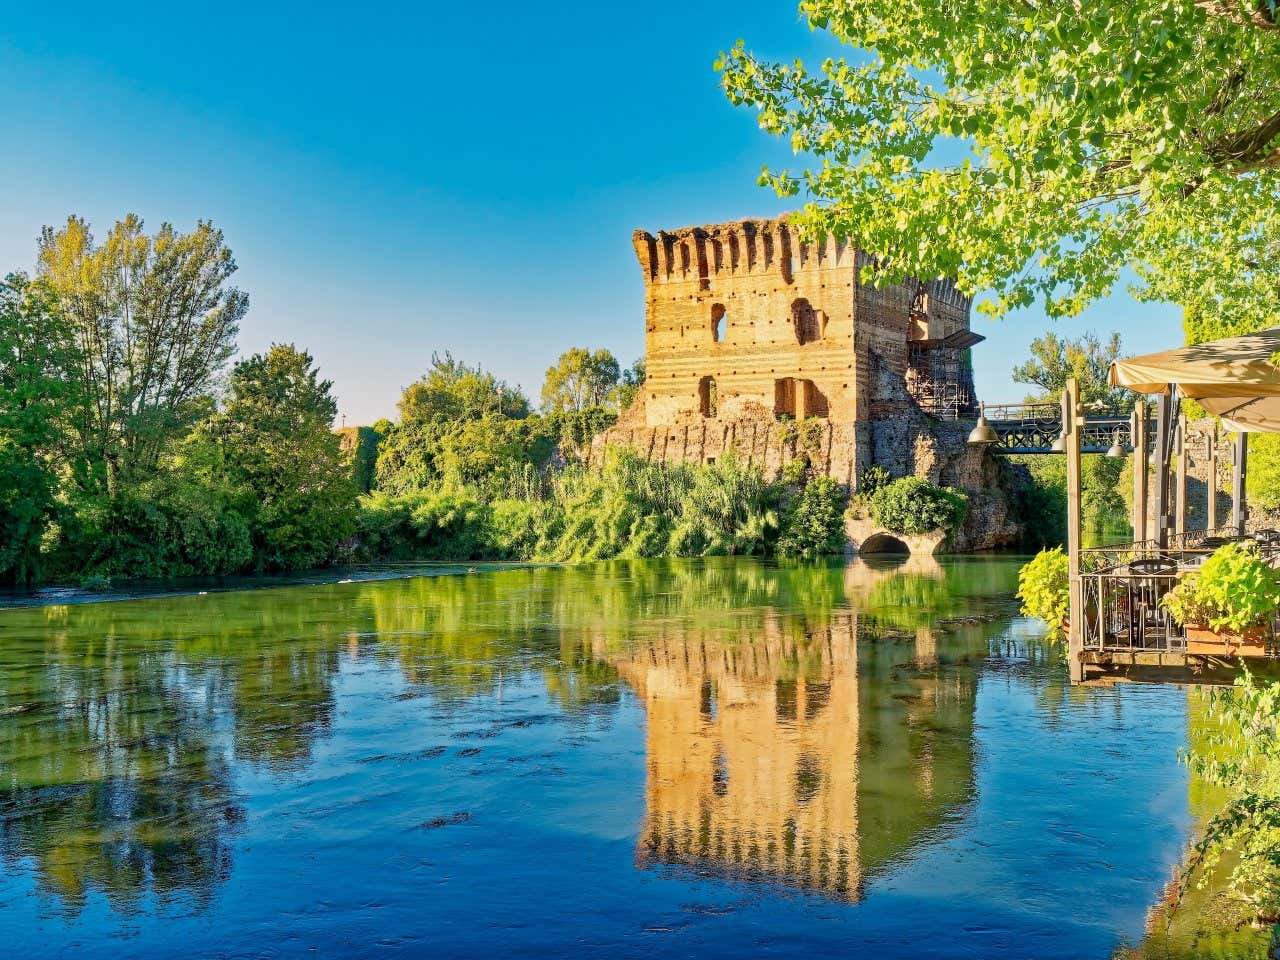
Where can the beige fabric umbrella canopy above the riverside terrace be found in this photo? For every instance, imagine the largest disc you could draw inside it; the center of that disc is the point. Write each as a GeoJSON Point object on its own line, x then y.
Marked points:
{"type": "Point", "coordinates": [1235, 380]}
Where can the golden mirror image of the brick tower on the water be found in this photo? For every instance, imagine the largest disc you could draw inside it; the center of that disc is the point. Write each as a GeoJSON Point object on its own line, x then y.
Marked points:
{"type": "Point", "coordinates": [808, 755]}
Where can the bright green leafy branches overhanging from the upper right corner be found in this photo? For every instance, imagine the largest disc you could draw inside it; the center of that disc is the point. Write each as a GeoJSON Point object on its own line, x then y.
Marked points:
{"type": "Point", "coordinates": [1039, 150]}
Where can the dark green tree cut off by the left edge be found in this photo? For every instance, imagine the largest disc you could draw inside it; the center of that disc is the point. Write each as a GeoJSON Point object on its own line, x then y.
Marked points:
{"type": "Point", "coordinates": [36, 401]}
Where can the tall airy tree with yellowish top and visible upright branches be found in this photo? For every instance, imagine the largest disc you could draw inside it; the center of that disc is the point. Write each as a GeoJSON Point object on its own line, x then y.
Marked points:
{"type": "Point", "coordinates": [156, 324]}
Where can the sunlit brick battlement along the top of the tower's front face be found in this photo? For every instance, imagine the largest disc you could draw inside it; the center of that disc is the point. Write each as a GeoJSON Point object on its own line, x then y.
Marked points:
{"type": "Point", "coordinates": [739, 248]}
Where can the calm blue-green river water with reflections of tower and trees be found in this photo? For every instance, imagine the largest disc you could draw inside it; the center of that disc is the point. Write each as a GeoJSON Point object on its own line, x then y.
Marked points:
{"type": "Point", "coordinates": [716, 758]}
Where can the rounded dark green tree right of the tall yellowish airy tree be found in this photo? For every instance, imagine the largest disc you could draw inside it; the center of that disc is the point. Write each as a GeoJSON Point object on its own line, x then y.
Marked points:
{"type": "Point", "coordinates": [275, 442]}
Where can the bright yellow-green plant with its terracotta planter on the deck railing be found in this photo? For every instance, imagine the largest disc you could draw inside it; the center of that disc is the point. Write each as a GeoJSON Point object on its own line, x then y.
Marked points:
{"type": "Point", "coordinates": [1228, 605]}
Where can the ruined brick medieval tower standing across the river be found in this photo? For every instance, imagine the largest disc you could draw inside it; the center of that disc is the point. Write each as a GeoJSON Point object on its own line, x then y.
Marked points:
{"type": "Point", "coordinates": [752, 332]}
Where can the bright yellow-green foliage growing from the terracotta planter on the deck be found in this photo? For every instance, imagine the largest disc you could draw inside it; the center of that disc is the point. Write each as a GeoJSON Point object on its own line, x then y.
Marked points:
{"type": "Point", "coordinates": [1235, 592]}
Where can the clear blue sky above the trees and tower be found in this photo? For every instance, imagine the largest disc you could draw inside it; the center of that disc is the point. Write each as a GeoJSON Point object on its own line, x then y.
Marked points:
{"type": "Point", "coordinates": [404, 179]}
